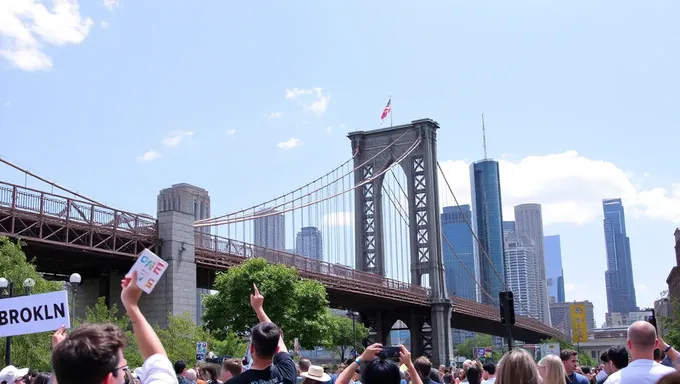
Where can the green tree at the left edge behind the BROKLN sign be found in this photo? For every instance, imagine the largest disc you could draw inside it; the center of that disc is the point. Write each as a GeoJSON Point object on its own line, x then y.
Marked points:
{"type": "Point", "coordinates": [27, 350]}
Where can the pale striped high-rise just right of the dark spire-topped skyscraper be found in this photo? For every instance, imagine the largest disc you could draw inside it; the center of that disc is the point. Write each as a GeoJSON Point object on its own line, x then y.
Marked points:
{"type": "Point", "coordinates": [520, 273]}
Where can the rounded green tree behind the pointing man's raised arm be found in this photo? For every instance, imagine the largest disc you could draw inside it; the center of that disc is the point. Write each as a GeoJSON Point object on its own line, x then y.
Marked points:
{"type": "Point", "coordinates": [297, 305]}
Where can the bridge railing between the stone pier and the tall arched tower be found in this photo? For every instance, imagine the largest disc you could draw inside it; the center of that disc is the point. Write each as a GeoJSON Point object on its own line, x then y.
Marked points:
{"type": "Point", "coordinates": [238, 248]}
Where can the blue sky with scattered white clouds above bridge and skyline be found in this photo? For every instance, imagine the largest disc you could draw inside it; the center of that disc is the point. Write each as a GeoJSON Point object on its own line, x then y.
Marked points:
{"type": "Point", "coordinates": [119, 99]}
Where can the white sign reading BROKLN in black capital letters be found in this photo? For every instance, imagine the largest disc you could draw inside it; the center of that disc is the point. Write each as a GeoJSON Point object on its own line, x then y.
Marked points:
{"type": "Point", "coordinates": [34, 313]}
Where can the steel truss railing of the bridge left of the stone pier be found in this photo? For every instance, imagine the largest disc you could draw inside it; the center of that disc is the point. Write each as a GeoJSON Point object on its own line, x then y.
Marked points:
{"type": "Point", "coordinates": [48, 205]}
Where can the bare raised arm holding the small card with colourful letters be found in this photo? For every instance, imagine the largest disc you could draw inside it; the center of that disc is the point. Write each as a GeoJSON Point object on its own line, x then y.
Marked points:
{"type": "Point", "coordinates": [147, 340]}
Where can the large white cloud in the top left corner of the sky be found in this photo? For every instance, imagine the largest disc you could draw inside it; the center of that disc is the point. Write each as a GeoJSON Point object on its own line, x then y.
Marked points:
{"type": "Point", "coordinates": [26, 26]}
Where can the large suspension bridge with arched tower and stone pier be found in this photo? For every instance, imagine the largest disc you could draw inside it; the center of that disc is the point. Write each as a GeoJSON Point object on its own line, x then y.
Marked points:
{"type": "Point", "coordinates": [77, 234]}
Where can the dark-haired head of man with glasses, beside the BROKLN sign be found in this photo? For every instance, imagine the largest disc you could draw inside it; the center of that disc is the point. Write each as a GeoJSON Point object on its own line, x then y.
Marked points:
{"type": "Point", "coordinates": [92, 354]}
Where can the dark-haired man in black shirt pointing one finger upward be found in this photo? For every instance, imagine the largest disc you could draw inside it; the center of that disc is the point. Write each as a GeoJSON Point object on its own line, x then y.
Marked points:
{"type": "Point", "coordinates": [266, 345]}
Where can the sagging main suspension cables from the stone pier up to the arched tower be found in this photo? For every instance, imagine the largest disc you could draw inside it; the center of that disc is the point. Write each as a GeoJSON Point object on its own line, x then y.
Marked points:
{"type": "Point", "coordinates": [262, 207]}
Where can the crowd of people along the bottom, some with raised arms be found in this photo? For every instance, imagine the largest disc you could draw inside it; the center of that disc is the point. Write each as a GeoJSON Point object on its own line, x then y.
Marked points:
{"type": "Point", "coordinates": [93, 354]}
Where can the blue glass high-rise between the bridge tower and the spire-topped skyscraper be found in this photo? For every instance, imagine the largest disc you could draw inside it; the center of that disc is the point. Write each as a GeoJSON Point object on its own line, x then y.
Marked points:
{"type": "Point", "coordinates": [459, 269]}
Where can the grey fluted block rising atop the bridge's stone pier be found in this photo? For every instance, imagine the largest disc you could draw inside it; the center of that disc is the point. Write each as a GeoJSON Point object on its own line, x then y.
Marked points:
{"type": "Point", "coordinates": [186, 198]}
